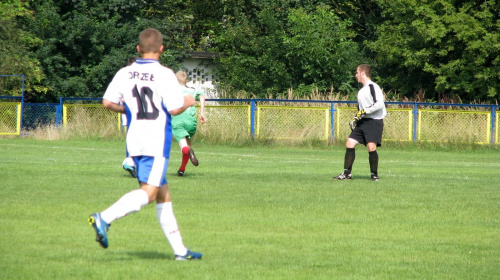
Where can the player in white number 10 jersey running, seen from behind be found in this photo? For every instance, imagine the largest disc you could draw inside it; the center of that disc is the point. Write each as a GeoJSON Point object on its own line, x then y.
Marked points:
{"type": "Point", "coordinates": [151, 94]}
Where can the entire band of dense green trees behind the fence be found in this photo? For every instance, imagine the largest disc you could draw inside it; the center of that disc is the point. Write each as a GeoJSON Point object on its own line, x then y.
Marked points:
{"type": "Point", "coordinates": [440, 47]}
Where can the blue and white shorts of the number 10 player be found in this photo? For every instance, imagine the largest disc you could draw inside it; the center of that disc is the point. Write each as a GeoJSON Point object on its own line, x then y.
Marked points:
{"type": "Point", "coordinates": [151, 170]}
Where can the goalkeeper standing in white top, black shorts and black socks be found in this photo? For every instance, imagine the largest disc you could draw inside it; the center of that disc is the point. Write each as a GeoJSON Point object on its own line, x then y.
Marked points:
{"type": "Point", "coordinates": [368, 124]}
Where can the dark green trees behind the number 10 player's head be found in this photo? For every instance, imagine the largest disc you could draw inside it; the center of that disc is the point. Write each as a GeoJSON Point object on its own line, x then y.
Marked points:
{"type": "Point", "coordinates": [84, 42]}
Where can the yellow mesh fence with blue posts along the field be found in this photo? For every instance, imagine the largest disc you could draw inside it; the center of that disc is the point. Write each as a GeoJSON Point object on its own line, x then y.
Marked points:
{"type": "Point", "coordinates": [282, 119]}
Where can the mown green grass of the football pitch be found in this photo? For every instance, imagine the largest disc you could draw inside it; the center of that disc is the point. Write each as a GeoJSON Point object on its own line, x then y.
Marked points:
{"type": "Point", "coordinates": [255, 213]}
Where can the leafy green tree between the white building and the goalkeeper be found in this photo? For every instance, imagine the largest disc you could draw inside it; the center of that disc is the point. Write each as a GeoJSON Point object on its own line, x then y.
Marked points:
{"type": "Point", "coordinates": [272, 46]}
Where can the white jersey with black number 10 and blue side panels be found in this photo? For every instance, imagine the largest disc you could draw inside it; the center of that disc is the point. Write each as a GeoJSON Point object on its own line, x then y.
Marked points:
{"type": "Point", "coordinates": [149, 91]}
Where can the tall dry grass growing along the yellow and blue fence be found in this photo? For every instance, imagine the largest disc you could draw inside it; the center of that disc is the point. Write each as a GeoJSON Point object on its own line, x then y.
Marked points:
{"type": "Point", "coordinates": [230, 125]}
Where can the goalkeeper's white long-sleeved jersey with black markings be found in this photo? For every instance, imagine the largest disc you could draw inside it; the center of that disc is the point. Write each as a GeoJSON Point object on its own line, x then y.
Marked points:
{"type": "Point", "coordinates": [371, 99]}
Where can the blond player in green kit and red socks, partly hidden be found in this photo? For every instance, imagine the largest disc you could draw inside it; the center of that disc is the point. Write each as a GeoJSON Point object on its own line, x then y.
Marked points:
{"type": "Point", "coordinates": [184, 125]}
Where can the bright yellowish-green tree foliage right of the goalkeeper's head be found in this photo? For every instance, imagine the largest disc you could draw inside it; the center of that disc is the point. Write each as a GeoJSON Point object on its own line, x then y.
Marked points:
{"type": "Point", "coordinates": [443, 47]}
